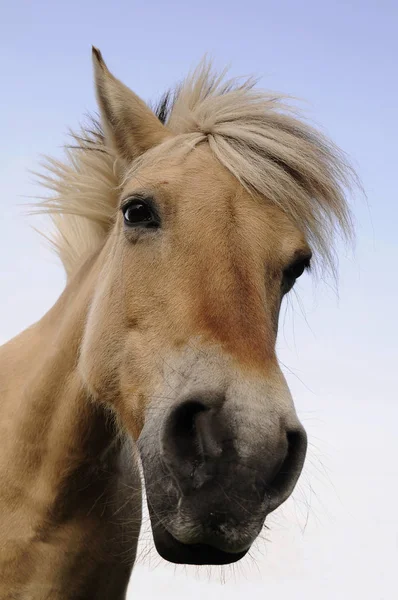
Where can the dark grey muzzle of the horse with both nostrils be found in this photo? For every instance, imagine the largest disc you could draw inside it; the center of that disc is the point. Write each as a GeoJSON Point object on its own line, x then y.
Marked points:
{"type": "Point", "coordinates": [210, 488]}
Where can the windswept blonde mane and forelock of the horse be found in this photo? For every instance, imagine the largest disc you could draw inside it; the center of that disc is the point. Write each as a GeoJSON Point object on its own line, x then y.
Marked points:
{"type": "Point", "coordinates": [254, 134]}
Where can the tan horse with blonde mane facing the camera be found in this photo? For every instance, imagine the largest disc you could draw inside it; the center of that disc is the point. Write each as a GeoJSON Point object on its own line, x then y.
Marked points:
{"type": "Point", "coordinates": [181, 229]}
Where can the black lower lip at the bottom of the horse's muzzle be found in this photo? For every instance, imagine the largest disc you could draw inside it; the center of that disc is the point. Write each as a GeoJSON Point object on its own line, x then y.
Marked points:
{"type": "Point", "coordinates": [176, 552]}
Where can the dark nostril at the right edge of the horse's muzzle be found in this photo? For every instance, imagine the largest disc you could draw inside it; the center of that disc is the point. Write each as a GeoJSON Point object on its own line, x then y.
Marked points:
{"type": "Point", "coordinates": [286, 478]}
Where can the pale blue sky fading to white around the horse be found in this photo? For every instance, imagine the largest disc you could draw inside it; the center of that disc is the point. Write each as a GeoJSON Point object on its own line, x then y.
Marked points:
{"type": "Point", "coordinates": [337, 538]}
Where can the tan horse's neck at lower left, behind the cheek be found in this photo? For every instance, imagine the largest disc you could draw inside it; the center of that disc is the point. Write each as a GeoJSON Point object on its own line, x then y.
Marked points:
{"type": "Point", "coordinates": [60, 456]}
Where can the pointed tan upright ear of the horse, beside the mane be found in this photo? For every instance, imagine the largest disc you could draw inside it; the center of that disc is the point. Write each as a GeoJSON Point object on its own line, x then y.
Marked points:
{"type": "Point", "coordinates": [129, 124]}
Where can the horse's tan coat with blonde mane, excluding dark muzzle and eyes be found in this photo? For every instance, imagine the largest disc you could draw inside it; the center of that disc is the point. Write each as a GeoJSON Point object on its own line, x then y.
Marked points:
{"type": "Point", "coordinates": [243, 188]}
